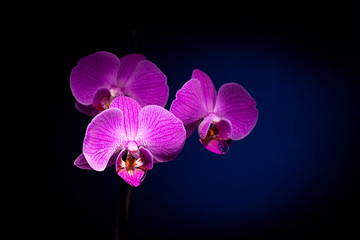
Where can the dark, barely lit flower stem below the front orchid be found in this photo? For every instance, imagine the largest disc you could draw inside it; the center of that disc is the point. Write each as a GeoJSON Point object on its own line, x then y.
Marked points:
{"type": "Point", "coordinates": [123, 211]}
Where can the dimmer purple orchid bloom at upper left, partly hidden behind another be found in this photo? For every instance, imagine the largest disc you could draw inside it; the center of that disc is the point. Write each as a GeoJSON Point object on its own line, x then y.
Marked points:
{"type": "Point", "coordinates": [100, 77]}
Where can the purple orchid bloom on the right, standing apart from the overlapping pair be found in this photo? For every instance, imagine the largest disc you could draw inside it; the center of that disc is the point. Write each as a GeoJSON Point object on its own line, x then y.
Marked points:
{"type": "Point", "coordinates": [229, 115]}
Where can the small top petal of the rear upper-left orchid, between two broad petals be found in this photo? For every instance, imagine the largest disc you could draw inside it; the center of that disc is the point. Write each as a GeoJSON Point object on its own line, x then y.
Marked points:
{"type": "Point", "coordinates": [127, 66]}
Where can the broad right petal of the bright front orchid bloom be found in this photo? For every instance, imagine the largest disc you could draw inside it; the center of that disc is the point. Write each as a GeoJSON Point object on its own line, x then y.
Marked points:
{"type": "Point", "coordinates": [161, 133]}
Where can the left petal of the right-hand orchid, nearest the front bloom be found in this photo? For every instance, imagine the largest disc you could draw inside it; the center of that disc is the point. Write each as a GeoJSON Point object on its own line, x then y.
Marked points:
{"type": "Point", "coordinates": [189, 105]}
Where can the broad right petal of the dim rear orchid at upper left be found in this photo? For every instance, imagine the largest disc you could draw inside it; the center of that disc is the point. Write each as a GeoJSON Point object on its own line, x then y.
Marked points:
{"type": "Point", "coordinates": [147, 85]}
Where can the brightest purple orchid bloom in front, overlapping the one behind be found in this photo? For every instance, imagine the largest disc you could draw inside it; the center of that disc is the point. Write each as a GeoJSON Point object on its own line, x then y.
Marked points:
{"type": "Point", "coordinates": [133, 138]}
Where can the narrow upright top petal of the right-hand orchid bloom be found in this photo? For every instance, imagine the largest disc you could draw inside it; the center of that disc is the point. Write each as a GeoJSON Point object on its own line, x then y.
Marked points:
{"type": "Point", "coordinates": [207, 87]}
